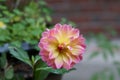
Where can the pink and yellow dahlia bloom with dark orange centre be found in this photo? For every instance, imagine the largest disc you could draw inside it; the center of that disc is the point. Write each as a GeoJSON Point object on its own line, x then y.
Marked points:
{"type": "Point", "coordinates": [62, 46]}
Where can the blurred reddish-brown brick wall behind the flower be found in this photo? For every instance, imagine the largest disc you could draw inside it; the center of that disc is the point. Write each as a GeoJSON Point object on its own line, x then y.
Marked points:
{"type": "Point", "coordinates": [88, 14]}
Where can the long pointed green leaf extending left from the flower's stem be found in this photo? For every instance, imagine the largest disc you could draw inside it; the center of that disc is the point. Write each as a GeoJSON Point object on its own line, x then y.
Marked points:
{"type": "Point", "coordinates": [20, 54]}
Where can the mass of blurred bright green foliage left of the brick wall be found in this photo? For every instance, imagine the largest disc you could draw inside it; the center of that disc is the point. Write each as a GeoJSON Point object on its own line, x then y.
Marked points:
{"type": "Point", "coordinates": [24, 25]}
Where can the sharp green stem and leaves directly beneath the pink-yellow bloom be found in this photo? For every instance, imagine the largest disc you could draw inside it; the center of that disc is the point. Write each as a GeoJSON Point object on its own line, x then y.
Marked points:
{"type": "Point", "coordinates": [40, 69]}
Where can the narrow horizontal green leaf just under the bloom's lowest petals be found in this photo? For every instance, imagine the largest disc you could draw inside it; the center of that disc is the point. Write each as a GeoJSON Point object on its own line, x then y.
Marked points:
{"type": "Point", "coordinates": [56, 71]}
